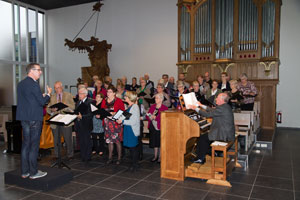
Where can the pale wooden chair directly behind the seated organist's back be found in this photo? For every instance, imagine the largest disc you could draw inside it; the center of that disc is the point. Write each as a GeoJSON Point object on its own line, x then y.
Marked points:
{"type": "Point", "coordinates": [242, 122]}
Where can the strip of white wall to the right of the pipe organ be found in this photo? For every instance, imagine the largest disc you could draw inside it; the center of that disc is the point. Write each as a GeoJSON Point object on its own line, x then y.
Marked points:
{"type": "Point", "coordinates": [288, 90]}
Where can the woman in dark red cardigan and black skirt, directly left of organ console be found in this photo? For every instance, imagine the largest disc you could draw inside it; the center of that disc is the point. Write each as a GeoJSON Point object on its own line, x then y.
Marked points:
{"type": "Point", "coordinates": [153, 117]}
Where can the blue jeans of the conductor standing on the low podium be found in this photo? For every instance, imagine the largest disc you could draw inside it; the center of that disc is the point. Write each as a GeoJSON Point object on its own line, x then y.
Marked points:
{"type": "Point", "coordinates": [30, 146]}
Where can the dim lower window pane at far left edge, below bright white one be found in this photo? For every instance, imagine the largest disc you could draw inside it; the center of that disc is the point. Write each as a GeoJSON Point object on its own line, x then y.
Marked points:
{"type": "Point", "coordinates": [6, 84]}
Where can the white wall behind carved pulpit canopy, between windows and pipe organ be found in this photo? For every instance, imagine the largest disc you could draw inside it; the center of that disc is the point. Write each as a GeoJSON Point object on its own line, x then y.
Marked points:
{"type": "Point", "coordinates": [143, 35]}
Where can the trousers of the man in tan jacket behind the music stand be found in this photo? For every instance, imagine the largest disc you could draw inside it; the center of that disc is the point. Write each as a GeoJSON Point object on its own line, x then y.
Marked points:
{"type": "Point", "coordinates": [66, 132]}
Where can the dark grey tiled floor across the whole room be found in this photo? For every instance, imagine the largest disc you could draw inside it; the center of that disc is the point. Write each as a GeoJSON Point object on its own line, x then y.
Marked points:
{"type": "Point", "coordinates": [271, 175]}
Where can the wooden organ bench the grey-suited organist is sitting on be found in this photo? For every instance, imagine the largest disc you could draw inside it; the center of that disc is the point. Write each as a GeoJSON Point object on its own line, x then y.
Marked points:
{"type": "Point", "coordinates": [229, 162]}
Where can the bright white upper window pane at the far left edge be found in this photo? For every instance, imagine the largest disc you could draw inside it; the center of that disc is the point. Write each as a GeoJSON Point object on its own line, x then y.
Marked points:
{"type": "Point", "coordinates": [6, 40]}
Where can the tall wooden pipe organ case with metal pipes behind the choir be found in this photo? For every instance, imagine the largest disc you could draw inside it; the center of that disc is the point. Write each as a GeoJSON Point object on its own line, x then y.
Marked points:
{"type": "Point", "coordinates": [233, 36]}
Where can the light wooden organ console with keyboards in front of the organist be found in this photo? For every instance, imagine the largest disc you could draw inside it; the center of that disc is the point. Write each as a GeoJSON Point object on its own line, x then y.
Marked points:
{"type": "Point", "coordinates": [179, 133]}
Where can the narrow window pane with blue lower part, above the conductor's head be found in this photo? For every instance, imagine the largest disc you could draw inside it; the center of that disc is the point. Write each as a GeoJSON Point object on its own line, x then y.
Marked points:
{"type": "Point", "coordinates": [32, 35]}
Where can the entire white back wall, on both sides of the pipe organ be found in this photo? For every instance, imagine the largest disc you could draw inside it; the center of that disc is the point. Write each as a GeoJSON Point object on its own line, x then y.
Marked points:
{"type": "Point", "coordinates": [143, 35]}
